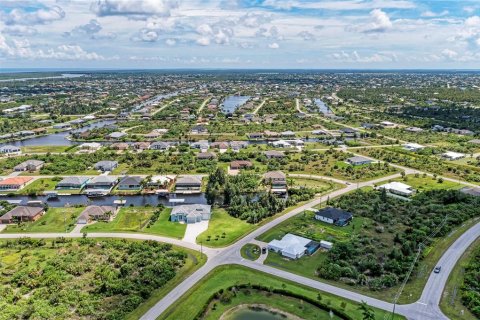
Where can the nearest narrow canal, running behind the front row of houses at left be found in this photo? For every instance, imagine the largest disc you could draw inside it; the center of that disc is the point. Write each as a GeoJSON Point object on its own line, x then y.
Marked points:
{"type": "Point", "coordinates": [139, 200]}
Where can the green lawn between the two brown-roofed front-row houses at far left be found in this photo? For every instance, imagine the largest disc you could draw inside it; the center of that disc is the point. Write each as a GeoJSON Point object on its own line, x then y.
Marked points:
{"type": "Point", "coordinates": [54, 220]}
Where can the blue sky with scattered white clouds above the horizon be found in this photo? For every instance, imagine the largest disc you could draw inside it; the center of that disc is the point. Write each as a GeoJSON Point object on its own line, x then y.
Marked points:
{"type": "Point", "coordinates": [239, 34]}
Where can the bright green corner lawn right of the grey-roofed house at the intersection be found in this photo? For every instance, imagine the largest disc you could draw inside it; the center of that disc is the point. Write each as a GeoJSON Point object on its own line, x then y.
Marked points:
{"type": "Point", "coordinates": [224, 229]}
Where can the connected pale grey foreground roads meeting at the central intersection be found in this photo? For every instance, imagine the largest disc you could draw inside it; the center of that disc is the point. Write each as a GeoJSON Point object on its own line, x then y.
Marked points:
{"type": "Point", "coordinates": [426, 308]}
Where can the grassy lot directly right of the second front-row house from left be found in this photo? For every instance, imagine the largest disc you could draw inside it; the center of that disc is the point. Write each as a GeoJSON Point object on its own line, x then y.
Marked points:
{"type": "Point", "coordinates": [128, 219]}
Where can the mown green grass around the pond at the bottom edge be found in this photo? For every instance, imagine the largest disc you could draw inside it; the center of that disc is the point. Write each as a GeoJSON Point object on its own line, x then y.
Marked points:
{"type": "Point", "coordinates": [222, 277]}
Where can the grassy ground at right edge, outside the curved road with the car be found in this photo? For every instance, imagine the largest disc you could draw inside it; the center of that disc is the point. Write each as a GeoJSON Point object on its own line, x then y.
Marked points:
{"type": "Point", "coordinates": [451, 303]}
